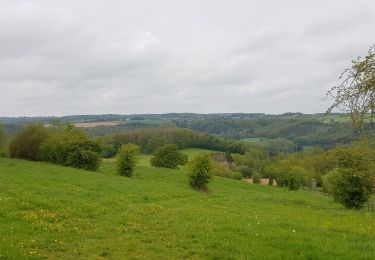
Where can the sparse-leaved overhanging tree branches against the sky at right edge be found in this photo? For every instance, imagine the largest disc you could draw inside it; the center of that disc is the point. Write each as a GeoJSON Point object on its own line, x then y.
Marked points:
{"type": "Point", "coordinates": [356, 92]}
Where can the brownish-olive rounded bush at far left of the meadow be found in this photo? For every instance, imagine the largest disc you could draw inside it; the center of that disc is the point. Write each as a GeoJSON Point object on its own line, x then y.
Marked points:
{"type": "Point", "coordinates": [26, 144]}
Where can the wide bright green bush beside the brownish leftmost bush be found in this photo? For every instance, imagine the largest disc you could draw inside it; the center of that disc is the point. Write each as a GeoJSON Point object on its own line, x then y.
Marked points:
{"type": "Point", "coordinates": [72, 147]}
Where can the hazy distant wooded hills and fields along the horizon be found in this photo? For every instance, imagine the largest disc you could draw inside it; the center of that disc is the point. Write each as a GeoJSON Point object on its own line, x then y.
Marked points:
{"type": "Point", "coordinates": [284, 133]}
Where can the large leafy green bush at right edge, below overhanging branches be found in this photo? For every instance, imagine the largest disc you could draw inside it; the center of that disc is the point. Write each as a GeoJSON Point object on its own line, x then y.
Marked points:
{"type": "Point", "coordinates": [352, 182]}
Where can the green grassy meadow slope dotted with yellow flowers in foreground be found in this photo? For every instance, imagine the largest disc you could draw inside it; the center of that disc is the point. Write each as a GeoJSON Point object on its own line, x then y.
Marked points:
{"type": "Point", "coordinates": [58, 212]}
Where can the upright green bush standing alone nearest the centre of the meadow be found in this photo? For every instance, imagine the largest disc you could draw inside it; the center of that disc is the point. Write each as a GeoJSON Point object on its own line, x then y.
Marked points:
{"type": "Point", "coordinates": [200, 172]}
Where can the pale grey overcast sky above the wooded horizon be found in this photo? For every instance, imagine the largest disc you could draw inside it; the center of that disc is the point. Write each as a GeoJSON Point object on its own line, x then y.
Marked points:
{"type": "Point", "coordinates": [209, 56]}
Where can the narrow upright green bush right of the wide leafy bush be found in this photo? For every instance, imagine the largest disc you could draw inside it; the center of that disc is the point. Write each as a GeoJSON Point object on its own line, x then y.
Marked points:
{"type": "Point", "coordinates": [127, 159]}
